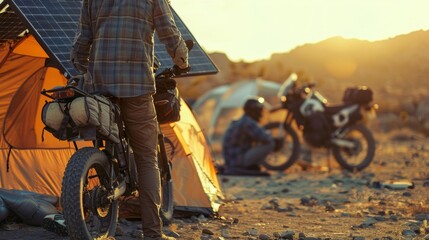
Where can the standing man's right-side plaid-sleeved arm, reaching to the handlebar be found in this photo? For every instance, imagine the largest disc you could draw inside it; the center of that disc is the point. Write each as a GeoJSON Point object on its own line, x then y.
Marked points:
{"type": "Point", "coordinates": [169, 34]}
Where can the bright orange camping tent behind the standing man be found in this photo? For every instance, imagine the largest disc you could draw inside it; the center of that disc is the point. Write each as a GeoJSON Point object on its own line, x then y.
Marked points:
{"type": "Point", "coordinates": [30, 164]}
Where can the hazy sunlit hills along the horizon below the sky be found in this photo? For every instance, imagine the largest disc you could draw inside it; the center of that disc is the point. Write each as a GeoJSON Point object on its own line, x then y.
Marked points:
{"type": "Point", "coordinates": [397, 69]}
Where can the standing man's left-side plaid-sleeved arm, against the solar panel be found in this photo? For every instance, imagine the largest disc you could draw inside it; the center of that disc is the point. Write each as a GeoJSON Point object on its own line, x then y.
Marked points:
{"type": "Point", "coordinates": [83, 40]}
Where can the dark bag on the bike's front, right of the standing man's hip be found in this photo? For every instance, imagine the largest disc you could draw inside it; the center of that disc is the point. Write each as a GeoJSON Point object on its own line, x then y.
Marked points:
{"type": "Point", "coordinates": [167, 101]}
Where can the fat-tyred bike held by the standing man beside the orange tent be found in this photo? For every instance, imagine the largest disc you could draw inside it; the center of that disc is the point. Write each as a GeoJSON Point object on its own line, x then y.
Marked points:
{"type": "Point", "coordinates": [97, 177]}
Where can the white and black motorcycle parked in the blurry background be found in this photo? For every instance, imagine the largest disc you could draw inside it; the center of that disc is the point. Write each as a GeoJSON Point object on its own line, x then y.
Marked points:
{"type": "Point", "coordinates": [339, 128]}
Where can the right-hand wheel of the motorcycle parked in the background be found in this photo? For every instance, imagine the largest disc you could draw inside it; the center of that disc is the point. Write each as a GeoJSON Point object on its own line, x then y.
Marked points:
{"type": "Point", "coordinates": [359, 156]}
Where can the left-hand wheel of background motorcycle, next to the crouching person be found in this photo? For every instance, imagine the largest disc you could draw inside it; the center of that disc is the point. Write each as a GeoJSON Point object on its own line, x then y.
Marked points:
{"type": "Point", "coordinates": [288, 154]}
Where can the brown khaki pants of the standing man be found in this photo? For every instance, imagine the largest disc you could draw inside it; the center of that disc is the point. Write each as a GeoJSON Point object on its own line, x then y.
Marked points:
{"type": "Point", "coordinates": [141, 127]}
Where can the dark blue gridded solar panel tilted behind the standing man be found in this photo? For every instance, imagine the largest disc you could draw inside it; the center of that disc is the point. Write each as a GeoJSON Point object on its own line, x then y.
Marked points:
{"type": "Point", "coordinates": [54, 23]}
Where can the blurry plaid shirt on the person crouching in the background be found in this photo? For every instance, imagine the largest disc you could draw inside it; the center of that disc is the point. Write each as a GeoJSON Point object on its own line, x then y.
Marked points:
{"type": "Point", "coordinates": [239, 138]}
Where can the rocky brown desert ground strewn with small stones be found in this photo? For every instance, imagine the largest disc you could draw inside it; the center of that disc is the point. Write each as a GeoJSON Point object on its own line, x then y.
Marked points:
{"type": "Point", "coordinates": [388, 200]}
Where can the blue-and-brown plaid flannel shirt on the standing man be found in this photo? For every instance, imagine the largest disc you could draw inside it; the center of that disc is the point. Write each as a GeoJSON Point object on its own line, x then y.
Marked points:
{"type": "Point", "coordinates": [115, 44]}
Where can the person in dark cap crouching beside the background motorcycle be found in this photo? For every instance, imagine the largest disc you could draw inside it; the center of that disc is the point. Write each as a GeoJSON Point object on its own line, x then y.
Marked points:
{"type": "Point", "coordinates": [246, 144]}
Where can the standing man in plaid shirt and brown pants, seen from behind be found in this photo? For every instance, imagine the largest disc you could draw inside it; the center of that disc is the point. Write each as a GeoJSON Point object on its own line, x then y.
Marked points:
{"type": "Point", "coordinates": [114, 46]}
